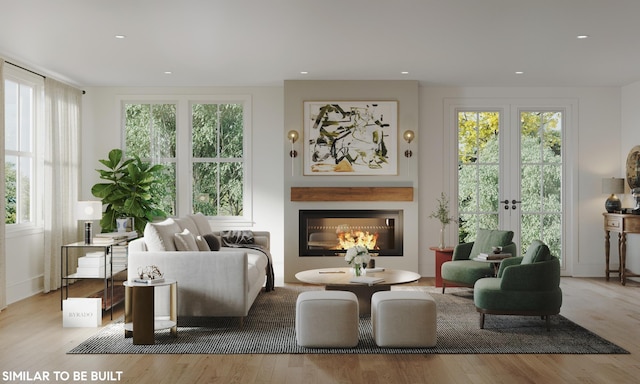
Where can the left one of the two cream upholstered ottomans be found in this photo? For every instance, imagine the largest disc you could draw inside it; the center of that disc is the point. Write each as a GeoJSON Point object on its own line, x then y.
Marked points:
{"type": "Point", "coordinates": [327, 319]}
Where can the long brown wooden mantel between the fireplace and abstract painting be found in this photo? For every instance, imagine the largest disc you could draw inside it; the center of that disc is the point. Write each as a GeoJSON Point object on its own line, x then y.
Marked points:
{"type": "Point", "coordinates": [351, 193]}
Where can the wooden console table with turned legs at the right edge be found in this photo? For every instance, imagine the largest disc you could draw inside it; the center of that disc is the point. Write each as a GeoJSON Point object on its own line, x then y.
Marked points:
{"type": "Point", "coordinates": [621, 224]}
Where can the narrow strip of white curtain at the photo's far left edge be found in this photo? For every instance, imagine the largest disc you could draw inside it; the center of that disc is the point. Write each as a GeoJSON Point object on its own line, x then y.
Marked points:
{"type": "Point", "coordinates": [3, 260]}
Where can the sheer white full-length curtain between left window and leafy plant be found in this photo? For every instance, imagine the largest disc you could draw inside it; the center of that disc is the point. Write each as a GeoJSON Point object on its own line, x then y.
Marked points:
{"type": "Point", "coordinates": [62, 162]}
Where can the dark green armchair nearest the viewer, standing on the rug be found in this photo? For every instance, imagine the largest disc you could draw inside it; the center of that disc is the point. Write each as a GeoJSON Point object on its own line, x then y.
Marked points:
{"type": "Point", "coordinates": [527, 285]}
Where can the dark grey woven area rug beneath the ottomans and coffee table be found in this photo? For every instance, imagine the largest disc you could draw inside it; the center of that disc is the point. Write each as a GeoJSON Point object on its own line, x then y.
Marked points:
{"type": "Point", "coordinates": [270, 328]}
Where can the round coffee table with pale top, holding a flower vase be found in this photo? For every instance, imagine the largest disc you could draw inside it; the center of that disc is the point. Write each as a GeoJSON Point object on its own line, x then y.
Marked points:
{"type": "Point", "coordinates": [339, 279]}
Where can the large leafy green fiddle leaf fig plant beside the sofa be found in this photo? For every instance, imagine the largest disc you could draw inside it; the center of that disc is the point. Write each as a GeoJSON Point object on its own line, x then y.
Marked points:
{"type": "Point", "coordinates": [126, 192]}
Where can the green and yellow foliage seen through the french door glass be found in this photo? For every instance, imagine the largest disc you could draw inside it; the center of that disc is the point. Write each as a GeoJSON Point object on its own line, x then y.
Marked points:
{"type": "Point", "coordinates": [541, 176]}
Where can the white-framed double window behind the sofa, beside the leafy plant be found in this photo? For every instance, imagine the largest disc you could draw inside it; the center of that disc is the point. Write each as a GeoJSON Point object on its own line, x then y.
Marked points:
{"type": "Point", "coordinates": [203, 145]}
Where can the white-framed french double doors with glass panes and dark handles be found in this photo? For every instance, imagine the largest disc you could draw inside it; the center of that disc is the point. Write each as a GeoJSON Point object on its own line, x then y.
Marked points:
{"type": "Point", "coordinates": [510, 172]}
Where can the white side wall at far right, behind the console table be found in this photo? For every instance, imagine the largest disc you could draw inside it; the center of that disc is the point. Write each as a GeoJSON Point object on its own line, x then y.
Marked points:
{"type": "Point", "coordinates": [629, 138]}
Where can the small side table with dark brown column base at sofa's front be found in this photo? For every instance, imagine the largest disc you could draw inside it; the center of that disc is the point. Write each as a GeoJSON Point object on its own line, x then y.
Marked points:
{"type": "Point", "coordinates": [139, 318]}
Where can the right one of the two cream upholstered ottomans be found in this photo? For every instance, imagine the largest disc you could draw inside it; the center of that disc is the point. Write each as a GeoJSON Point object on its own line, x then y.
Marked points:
{"type": "Point", "coordinates": [403, 319]}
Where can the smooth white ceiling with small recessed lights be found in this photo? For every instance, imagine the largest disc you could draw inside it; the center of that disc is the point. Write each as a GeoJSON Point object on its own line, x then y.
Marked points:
{"type": "Point", "coordinates": [263, 42]}
